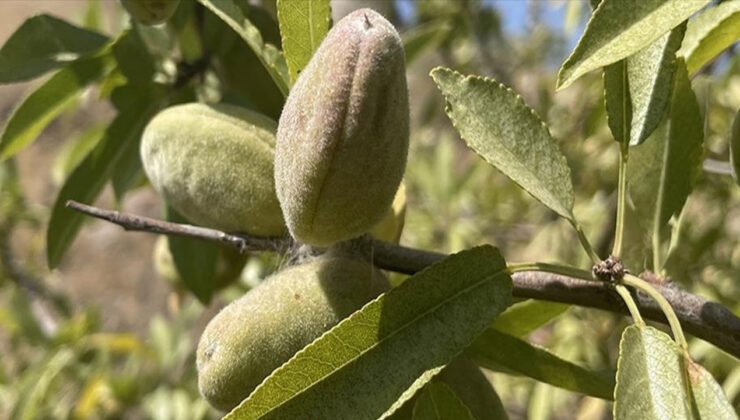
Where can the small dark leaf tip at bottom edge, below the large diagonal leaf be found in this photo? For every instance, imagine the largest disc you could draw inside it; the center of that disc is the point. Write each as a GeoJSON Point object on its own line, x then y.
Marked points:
{"type": "Point", "coordinates": [438, 402]}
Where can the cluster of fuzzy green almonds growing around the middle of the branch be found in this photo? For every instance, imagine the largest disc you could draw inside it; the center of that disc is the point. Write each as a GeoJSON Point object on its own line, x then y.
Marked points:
{"type": "Point", "coordinates": [328, 172]}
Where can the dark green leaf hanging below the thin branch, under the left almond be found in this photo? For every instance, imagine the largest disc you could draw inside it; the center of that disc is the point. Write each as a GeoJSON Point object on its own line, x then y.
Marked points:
{"type": "Point", "coordinates": [194, 260]}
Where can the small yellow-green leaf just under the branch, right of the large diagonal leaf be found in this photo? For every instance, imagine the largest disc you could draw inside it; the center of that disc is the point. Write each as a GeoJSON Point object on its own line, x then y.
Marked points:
{"type": "Point", "coordinates": [522, 318]}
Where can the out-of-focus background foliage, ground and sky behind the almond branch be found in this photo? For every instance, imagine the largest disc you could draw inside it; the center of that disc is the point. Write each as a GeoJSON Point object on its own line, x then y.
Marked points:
{"type": "Point", "coordinates": [104, 336]}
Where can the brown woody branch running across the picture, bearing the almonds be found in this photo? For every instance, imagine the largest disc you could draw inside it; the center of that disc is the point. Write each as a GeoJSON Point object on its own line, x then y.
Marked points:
{"type": "Point", "coordinates": [706, 320]}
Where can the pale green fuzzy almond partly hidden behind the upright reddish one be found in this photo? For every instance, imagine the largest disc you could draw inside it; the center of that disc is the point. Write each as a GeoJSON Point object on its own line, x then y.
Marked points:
{"type": "Point", "coordinates": [214, 165]}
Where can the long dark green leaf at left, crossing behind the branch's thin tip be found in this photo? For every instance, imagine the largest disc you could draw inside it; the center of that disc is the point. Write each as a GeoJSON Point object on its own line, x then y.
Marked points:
{"type": "Point", "coordinates": [88, 179]}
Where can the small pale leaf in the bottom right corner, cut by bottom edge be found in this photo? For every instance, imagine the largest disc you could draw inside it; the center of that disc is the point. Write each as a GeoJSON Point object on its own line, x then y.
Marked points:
{"type": "Point", "coordinates": [708, 397]}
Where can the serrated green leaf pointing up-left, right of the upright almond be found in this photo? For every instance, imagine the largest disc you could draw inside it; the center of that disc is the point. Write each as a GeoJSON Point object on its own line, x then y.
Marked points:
{"type": "Point", "coordinates": [496, 123]}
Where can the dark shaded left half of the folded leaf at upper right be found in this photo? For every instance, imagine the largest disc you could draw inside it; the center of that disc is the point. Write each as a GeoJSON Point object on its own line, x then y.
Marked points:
{"type": "Point", "coordinates": [617, 101]}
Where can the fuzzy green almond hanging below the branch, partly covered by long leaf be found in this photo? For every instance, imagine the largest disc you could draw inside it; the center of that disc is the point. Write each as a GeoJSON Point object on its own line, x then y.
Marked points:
{"type": "Point", "coordinates": [260, 331]}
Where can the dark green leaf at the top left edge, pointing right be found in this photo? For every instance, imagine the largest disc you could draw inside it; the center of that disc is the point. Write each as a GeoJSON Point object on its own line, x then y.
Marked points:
{"type": "Point", "coordinates": [44, 43]}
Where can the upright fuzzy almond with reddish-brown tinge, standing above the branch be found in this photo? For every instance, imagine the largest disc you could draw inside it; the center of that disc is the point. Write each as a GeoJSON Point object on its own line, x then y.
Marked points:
{"type": "Point", "coordinates": [343, 135]}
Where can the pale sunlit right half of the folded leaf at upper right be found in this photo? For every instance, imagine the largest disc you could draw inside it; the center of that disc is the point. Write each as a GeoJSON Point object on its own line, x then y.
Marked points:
{"type": "Point", "coordinates": [650, 75]}
